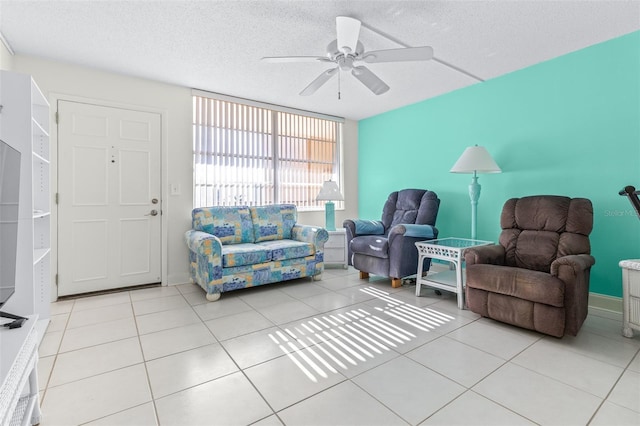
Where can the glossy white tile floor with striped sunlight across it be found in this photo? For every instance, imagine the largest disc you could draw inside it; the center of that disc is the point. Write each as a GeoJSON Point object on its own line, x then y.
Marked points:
{"type": "Point", "coordinates": [341, 351]}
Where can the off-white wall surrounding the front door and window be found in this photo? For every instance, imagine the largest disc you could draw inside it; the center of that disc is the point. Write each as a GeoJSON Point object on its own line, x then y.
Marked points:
{"type": "Point", "coordinates": [60, 79]}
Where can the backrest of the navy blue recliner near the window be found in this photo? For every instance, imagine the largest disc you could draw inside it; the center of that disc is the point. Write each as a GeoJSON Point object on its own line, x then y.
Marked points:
{"type": "Point", "coordinates": [417, 206]}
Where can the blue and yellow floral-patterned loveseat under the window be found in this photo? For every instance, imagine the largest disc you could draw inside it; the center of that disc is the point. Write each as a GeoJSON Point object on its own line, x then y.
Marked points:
{"type": "Point", "coordinates": [237, 247]}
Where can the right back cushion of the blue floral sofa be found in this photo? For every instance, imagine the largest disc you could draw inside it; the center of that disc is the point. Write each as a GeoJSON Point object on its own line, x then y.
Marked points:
{"type": "Point", "coordinates": [273, 222]}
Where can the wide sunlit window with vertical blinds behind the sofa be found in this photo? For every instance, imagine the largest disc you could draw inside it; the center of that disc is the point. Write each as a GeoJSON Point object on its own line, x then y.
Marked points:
{"type": "Point", "coordinates": [248, 154]}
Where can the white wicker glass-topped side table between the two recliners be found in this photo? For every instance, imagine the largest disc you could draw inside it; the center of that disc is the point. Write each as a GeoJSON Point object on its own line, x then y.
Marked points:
{"type": "Point", "coordinates": [451, 250]}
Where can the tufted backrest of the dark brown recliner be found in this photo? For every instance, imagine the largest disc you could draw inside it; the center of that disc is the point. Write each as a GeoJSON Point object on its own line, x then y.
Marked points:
{"type": "Point", "coordinates": [537, 230]}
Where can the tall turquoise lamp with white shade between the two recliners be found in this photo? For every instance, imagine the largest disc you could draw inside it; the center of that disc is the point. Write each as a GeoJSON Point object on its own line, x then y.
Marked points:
{"type": "Point", "coordinates": [475, 159]}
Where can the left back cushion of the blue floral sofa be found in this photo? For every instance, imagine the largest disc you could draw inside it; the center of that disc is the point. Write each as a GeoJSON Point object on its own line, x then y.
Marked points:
{"type": "Point", "coordinates": [232, 225]}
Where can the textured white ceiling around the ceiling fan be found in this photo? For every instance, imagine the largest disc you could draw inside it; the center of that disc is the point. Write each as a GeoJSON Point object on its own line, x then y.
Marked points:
{"type": "Point", "coordinates": [217, 45]}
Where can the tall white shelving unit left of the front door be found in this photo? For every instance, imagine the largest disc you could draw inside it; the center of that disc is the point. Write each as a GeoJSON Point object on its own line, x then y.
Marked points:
{"type": "Point", "coordinates": [24, 124]}
